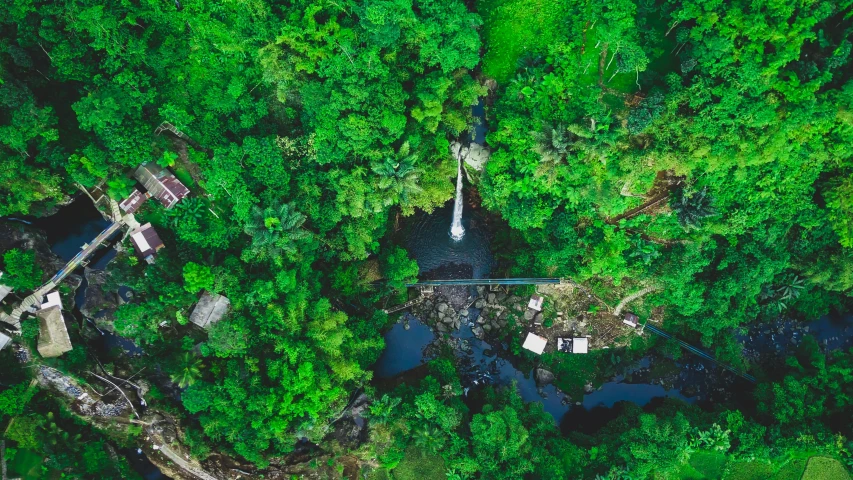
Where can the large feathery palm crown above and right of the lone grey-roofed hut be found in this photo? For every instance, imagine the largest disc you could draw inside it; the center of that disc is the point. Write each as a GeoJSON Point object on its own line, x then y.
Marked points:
{"type": "Point", "coordinates": [275, 230]}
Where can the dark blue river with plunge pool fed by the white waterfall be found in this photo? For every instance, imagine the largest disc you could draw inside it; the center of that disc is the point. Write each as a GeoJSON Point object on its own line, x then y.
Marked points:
{"type": "Point", "coordinates": [410, 342]}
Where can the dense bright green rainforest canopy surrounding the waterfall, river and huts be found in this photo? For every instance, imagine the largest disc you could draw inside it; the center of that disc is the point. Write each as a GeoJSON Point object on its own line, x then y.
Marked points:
{"type": "Point", "coordinates": [697, 151]}
